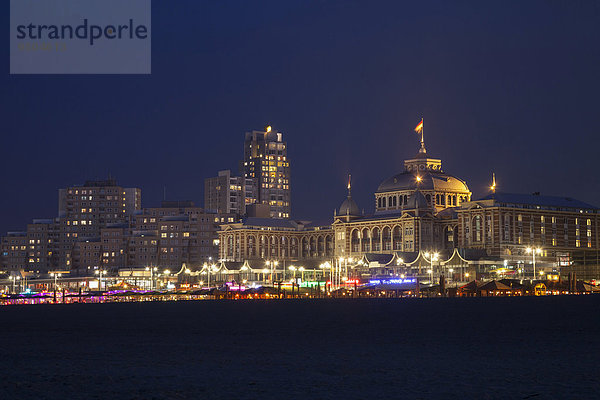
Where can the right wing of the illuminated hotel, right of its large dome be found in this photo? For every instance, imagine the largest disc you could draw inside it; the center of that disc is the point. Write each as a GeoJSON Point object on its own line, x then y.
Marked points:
{"type": "Point", "coordinates": [505, 225]}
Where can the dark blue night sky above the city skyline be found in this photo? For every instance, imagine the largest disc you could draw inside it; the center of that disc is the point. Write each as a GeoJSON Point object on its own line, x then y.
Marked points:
{"type": "Point", "coordinates": [510, 87]}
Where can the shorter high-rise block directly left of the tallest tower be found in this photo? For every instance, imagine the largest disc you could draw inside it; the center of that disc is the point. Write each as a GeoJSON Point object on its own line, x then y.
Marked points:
{"type": "Point", "coordinates": [224, 194]}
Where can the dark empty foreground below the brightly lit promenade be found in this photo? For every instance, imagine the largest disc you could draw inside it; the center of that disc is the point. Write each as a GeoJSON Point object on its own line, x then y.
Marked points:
{"type": "Point", "coordinates": [488, 348]}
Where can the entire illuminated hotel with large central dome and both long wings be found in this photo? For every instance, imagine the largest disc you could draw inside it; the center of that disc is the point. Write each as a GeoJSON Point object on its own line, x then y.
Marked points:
{"type": "Point", "coordinates": [423, 211]}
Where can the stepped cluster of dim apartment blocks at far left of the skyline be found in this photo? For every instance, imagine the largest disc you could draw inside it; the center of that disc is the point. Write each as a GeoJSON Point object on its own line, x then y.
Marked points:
{"type": "Point", "coordinates": [102, 226]}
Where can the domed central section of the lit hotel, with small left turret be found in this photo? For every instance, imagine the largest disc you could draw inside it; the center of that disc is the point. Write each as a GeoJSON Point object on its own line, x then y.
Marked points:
{"type": "Point", "coordinates": [414, 210]}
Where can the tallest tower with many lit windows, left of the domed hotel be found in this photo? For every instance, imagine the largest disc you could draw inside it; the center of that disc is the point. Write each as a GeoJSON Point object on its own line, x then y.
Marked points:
{"type": "Point", "coordinates": [267, 172]}
